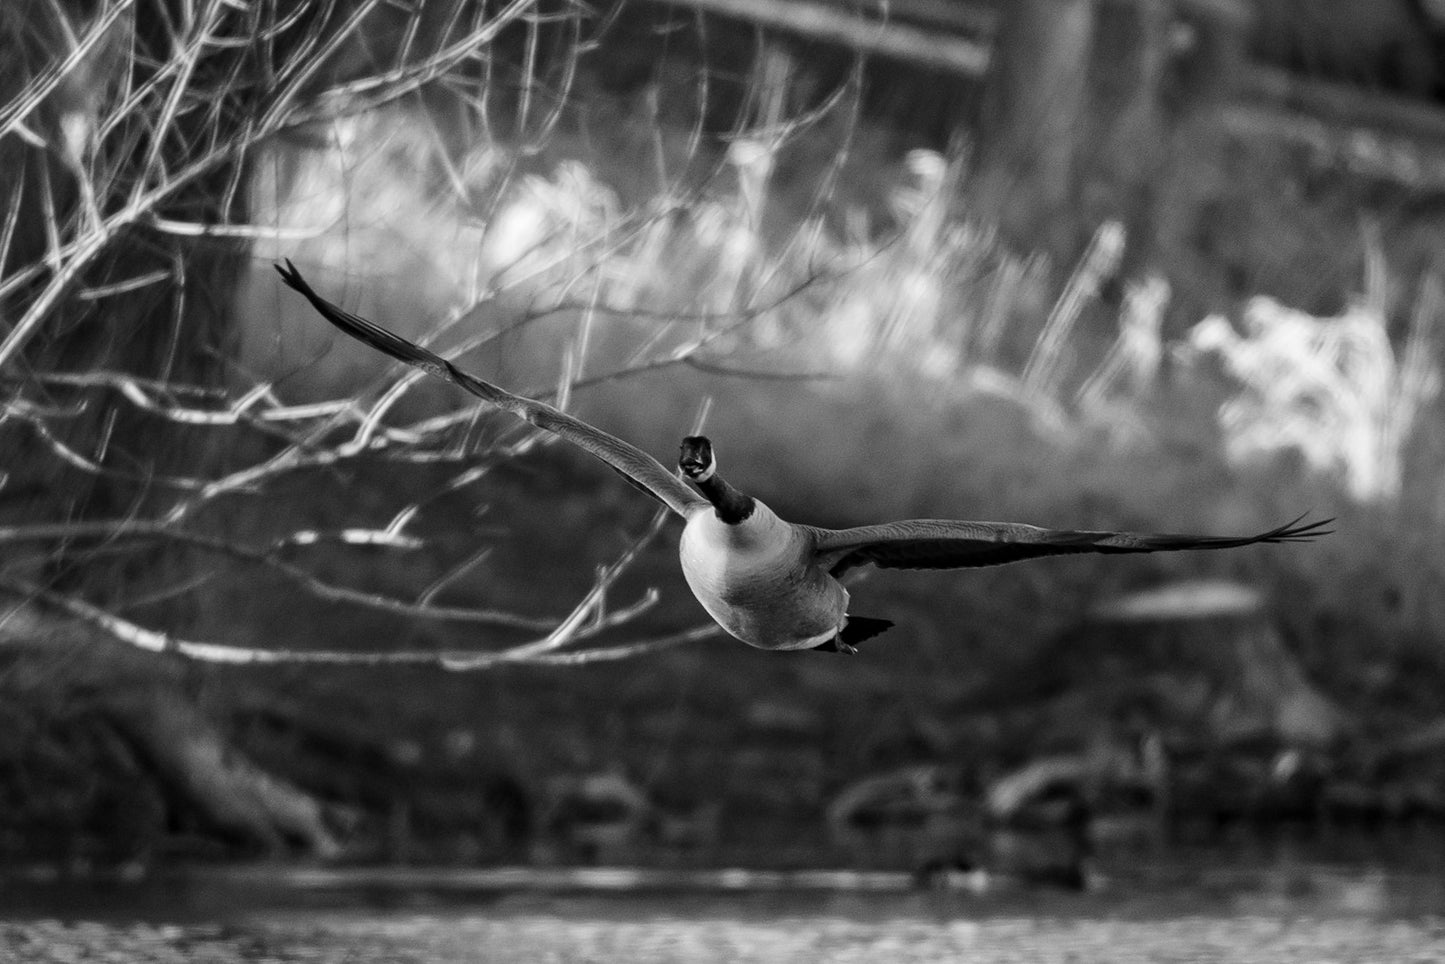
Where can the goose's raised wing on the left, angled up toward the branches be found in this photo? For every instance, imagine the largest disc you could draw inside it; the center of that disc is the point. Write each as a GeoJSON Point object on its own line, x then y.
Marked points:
{"type": "Point", "coordinates": [632, 463]}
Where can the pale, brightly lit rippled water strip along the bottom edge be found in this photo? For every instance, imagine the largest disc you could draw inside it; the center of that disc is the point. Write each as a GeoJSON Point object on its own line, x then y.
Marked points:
{"type": "Point", "coordinates": [566, 937]}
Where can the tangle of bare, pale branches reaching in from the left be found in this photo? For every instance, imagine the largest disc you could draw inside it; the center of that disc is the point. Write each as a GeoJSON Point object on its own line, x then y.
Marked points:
{"type": "Point", "coordinates": [135, 135]}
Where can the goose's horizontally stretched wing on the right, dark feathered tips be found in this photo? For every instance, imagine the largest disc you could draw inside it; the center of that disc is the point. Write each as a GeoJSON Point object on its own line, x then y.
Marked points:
{"type": "Point", "coordinates": [943, 544]}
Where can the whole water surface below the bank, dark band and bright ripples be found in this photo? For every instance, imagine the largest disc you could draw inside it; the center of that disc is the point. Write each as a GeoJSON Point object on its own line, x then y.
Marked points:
{"type": "Point", "coordinates": [1280, 916]}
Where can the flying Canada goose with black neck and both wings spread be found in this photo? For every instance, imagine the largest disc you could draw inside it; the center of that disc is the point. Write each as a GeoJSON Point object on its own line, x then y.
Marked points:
{"type": "Point", "coordinates": [774, 585]}
